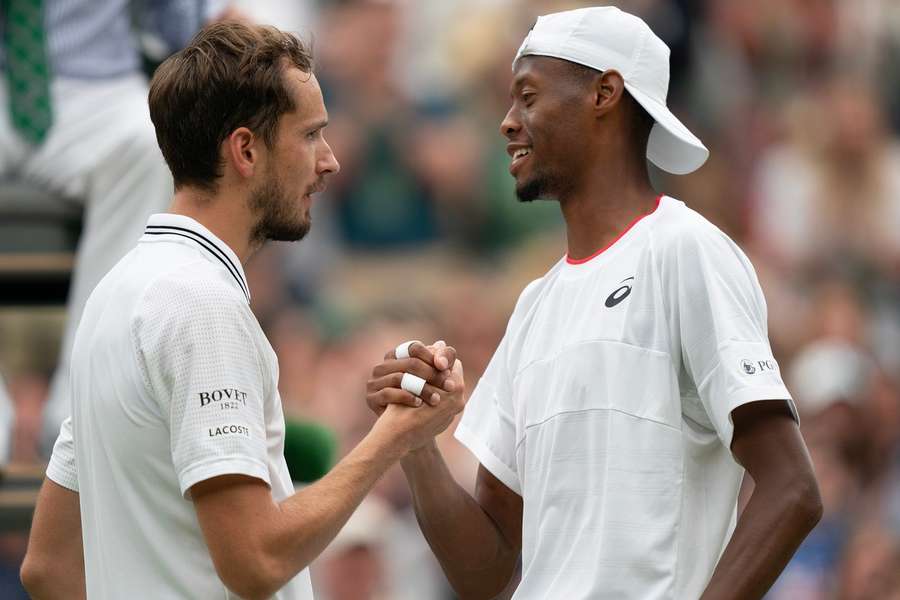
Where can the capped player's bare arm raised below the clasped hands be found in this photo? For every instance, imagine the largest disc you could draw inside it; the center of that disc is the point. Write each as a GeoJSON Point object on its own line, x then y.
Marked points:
{"type": "Point", "coordinates": [477, 540]}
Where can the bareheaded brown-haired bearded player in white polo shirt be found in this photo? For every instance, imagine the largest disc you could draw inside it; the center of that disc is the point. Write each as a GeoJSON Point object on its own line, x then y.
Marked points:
{"type": "Point", "coordinates": [177, 424]}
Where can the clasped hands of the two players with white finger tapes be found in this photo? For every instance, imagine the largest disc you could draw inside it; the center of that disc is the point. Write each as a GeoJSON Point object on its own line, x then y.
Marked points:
{"type": "Point", "coordinates": [416, 392]}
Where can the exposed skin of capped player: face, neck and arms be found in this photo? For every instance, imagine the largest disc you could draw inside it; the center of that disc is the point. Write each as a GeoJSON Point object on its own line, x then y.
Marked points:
{"type": "Point", "coordinates": [587, 142]}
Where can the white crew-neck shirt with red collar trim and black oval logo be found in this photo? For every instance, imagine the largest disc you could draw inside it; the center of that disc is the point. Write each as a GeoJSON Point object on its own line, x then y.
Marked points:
{"type": "Point", "coordinates": [607, 407]}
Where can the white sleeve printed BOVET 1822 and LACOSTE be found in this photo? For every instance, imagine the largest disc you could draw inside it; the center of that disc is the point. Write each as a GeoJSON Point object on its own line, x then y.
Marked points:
{"type": "Point", "coordinates": [199, 351]}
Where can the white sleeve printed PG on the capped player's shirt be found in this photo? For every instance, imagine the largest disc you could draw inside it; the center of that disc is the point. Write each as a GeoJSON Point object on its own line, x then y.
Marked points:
{"type": "Point", "coordinates": [719, 314]}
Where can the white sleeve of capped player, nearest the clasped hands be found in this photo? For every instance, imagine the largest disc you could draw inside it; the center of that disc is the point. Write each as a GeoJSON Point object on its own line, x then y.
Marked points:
{"type": "Point", "coordinates": [488, 425]}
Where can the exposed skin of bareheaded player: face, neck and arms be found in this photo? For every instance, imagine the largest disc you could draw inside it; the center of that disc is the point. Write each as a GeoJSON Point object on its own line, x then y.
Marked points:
{"type": "Point", "coordinates": [257, 544]}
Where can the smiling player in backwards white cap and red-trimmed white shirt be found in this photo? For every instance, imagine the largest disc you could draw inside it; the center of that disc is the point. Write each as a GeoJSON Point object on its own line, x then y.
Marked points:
{"type": "Point", "coordinates": [635, 382]}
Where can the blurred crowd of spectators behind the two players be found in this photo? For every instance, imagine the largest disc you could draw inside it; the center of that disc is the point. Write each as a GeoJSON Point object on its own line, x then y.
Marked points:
{"type": "Point", "coordinates": [420, 237]}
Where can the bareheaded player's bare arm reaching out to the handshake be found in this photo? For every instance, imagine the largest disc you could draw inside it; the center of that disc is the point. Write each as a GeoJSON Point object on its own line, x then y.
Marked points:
{"type": "Point", "coordinates": [258, 545]}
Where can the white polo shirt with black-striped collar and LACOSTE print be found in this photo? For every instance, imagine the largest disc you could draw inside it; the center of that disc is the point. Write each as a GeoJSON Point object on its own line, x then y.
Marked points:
{"type": "Point", "coordinates": [173, 383]}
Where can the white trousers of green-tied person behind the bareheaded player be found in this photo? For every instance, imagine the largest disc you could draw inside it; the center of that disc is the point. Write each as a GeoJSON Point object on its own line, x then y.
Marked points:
{"type": "Point", "coordinates": [101, 151]}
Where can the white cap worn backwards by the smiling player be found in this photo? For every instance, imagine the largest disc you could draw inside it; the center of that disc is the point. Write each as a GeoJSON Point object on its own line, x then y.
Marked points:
{"type": "Point", "coordinates": [607, 38]}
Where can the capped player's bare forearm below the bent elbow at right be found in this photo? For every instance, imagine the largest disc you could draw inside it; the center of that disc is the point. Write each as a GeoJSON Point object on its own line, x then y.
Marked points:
{"type": "Point", "coordinates": [774, 523]}
